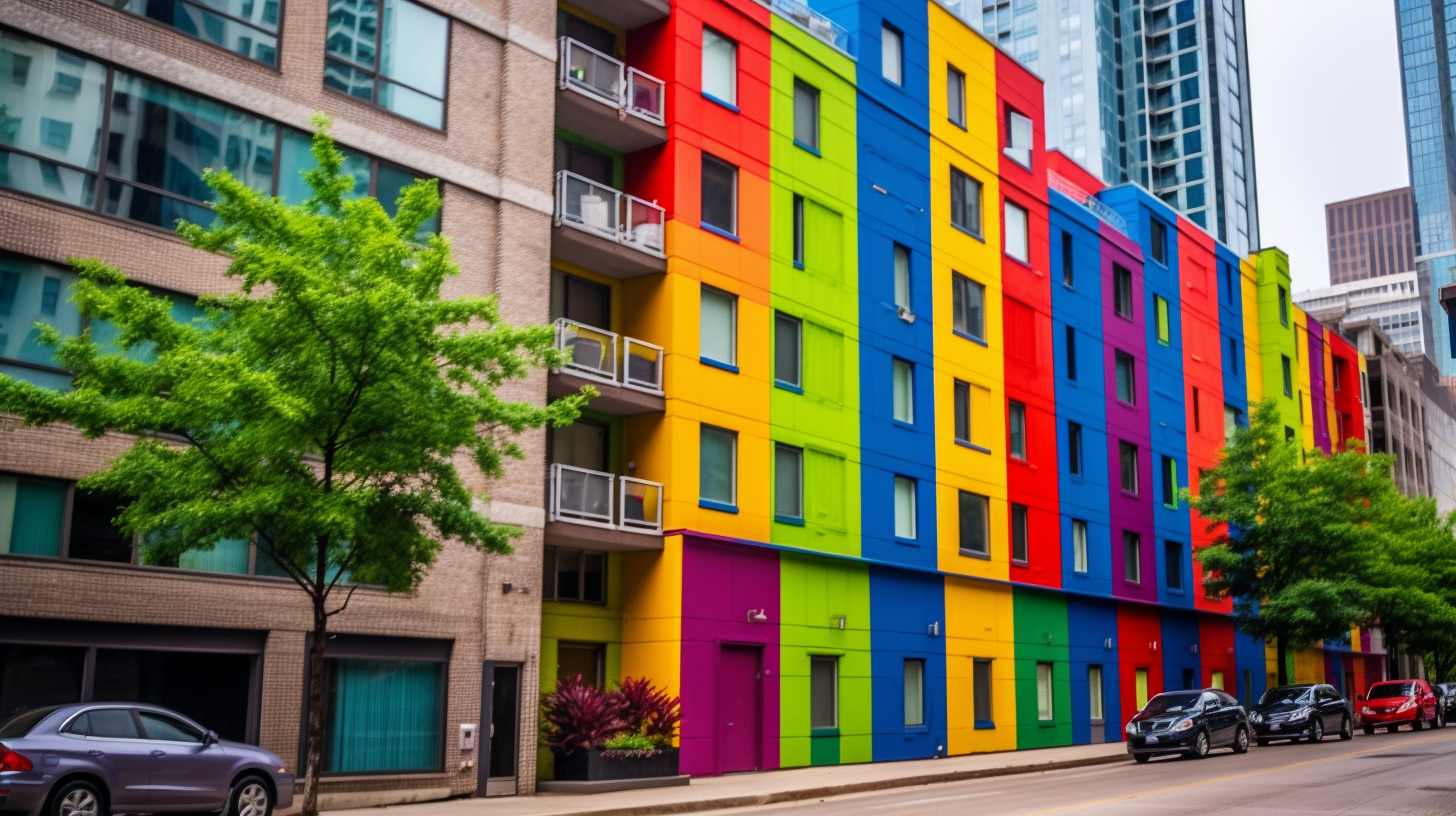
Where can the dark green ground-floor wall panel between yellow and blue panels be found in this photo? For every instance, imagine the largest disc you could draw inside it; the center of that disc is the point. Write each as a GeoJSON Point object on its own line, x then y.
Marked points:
{"type": "Point", "coordinates": [1042, 637]}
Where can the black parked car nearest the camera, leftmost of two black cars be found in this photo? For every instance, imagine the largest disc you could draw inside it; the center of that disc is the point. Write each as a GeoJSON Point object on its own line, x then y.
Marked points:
{"type": "Point", "coordinates": [1190, 723]}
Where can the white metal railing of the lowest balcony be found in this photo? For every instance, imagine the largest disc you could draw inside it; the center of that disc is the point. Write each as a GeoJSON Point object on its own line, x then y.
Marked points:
{"type": "Point", "coordinates": [605, 501]}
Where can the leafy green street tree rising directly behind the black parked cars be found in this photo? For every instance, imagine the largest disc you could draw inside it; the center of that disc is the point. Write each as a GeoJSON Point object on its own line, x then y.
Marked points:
{"type": "Point", "coordinates": [1302, 531]}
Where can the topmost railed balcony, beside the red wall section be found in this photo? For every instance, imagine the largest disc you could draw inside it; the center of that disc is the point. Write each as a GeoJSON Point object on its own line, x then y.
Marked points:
{"type": "Point", "coordinates": [615, 106]}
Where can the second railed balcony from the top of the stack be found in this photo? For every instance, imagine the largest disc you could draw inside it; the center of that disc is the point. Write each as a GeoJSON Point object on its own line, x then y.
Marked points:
{"type": "Point", "coordinates": [608, 231]}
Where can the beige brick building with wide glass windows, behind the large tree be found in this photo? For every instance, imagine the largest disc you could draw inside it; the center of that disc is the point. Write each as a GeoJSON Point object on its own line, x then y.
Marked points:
{"type": "Point", "coordinates": [439, 90]}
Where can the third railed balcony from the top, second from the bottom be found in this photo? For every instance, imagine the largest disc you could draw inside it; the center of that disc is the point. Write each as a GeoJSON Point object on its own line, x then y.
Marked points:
{"type": "Point", "coordinates": [631, 382]}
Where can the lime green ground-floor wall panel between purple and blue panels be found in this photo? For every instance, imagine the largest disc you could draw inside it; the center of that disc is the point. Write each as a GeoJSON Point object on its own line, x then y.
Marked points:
{"type": "Point", "coordinates": [815, 594]}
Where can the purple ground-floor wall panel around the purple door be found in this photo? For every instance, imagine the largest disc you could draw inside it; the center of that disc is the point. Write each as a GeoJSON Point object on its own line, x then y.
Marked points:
{"type": "Point", "coordinates": [721, 584]}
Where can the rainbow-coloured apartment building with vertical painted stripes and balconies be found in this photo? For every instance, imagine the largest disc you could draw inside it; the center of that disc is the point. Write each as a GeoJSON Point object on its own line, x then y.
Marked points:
{"type": "Point", "coordinates": [896, 404]}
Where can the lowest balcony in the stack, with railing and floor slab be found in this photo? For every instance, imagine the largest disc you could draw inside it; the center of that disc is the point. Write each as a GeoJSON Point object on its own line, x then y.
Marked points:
{"type": "Point", "coordinates": [604, 512]}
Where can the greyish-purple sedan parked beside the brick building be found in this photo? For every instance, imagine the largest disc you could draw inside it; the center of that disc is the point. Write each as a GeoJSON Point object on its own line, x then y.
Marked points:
{"type": "Point", "coordinates": [92, 760]}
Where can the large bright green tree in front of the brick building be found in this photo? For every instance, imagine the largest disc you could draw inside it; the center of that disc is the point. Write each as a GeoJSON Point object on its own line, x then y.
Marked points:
{"type": "Point", "coordinates": [323, 409]}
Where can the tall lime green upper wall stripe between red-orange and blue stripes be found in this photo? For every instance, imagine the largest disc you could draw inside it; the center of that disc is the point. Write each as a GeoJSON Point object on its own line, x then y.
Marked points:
{"type": "Point", "coordinates": [823, 420]}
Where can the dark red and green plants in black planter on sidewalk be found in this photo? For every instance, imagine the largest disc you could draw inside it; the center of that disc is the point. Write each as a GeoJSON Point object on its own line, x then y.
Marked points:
{"type": "Point", "coordinates": [611, 735]}
